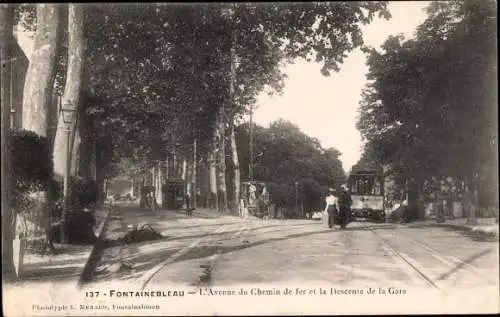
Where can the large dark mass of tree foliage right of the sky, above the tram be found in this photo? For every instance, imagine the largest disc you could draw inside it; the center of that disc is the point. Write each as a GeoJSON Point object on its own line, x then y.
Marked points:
{"type": "Point", "coordinates": [432, 90]}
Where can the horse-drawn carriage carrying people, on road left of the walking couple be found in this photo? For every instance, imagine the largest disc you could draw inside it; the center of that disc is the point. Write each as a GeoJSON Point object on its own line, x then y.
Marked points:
{"type": "Point", "coordinates": [254, 199]}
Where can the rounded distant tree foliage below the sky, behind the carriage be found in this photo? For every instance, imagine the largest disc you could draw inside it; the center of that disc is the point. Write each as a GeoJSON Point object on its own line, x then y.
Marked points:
{"type": "Point", "coordinates": [285, 155]}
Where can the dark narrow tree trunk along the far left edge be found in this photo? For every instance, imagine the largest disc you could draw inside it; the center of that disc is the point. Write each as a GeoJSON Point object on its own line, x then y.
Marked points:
{"type": "Point", "coordinates": [8, 216]}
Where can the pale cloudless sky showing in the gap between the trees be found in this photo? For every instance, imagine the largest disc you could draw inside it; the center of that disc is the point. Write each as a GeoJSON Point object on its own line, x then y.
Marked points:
{"type": "Point", "coordinates": [326, 107]}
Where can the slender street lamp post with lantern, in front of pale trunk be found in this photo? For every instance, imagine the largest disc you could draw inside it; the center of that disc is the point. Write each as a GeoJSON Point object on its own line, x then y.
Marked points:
{"type": "Point", "coordinates": [66, 113]}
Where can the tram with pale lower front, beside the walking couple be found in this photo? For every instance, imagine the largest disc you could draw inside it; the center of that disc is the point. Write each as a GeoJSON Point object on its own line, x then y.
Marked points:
{"type": "Point", "coordinates": [366, 185]}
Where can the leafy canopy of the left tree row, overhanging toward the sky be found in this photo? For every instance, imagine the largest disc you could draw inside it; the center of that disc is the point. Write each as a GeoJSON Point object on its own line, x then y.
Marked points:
{"type": "Point", "coordinates": [175, 76]}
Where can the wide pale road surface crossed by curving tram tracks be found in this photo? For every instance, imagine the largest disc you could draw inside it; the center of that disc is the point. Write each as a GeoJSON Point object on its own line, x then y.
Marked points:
{"type": "Point", "coordinates": [221, 253]}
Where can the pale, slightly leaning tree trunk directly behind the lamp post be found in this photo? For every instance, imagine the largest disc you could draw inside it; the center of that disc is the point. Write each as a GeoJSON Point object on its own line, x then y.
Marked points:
{"type": "Point", "coordinates": [72, 90]}
